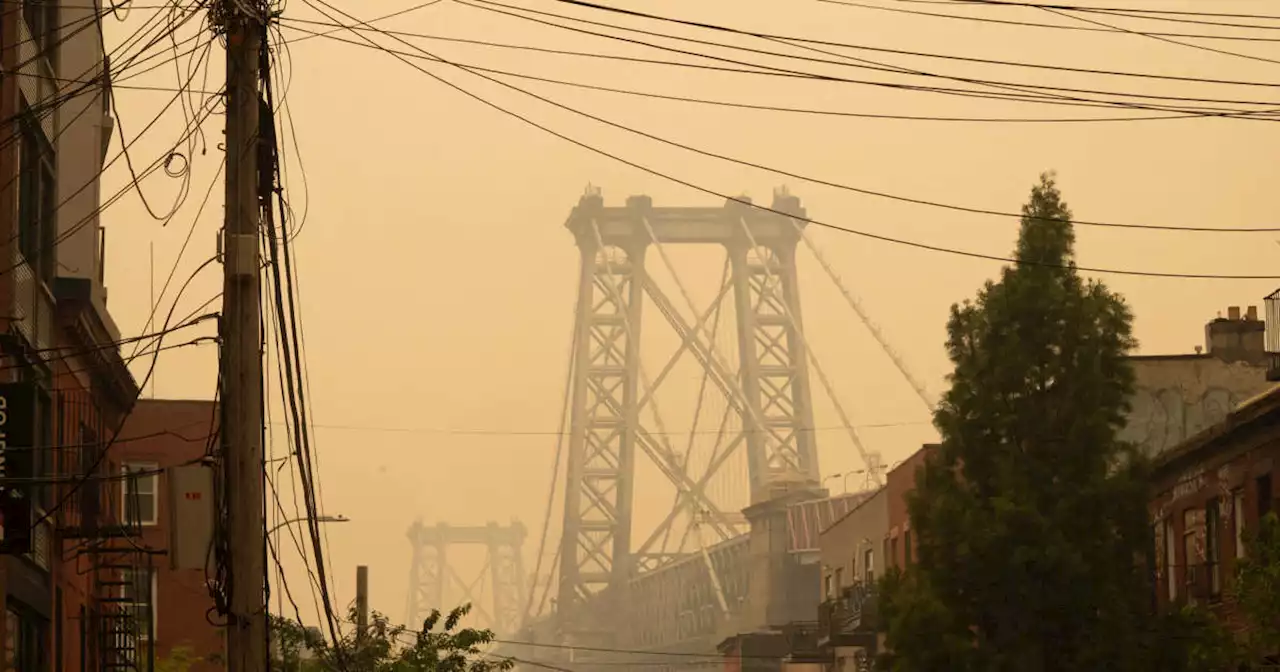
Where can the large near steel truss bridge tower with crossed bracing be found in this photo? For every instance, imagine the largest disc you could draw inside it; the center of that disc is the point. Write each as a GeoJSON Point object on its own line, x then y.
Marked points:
{"type": "Point", "coordinates": [769, 392]}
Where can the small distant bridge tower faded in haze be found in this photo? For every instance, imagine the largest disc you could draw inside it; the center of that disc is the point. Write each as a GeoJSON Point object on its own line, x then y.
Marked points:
{"type": "Point", "coordinates": [431, 573]}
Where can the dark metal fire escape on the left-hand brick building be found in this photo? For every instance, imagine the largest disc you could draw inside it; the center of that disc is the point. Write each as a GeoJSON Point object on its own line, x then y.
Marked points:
{"type": "Point", "coordinates": [104, 536]}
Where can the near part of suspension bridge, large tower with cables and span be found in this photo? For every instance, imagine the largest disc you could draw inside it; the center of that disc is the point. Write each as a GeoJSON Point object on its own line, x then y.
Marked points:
{"type": "Point", "coordinates": [735, 550]}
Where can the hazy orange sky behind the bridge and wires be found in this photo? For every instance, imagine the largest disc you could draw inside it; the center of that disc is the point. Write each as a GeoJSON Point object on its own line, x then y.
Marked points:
{"type": "Point", "coordinates": [437, 278]}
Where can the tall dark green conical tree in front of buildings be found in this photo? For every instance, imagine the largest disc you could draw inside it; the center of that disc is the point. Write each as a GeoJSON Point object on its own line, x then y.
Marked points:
{"type": "Point", "coordinates": [1031, 519]}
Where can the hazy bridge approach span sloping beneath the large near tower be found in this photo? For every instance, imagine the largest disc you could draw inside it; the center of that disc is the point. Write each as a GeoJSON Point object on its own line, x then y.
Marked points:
{"type": "Point", "coordinates": [767, 577]}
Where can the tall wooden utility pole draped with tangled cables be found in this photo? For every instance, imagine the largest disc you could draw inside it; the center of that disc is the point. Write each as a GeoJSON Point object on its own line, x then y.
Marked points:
{"type": "Point", "coordinates": [241, 336]}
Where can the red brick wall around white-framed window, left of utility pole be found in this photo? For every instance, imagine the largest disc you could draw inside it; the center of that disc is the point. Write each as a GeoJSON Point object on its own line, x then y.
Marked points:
{"type": "Point", "coordinates": [171, 433]}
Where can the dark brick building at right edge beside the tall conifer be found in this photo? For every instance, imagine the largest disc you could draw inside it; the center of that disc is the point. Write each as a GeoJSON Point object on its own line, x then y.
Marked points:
{"type": "Point", "coordinates": [1206, 493]}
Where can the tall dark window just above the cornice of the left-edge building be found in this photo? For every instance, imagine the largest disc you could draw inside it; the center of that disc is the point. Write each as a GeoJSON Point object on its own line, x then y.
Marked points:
{"type": "Point", "coordinates": [38, 199]}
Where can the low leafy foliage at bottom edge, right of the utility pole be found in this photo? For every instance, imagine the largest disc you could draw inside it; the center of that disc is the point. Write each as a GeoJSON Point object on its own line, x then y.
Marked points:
{"type": "Point", "coordinates": [441, 646]}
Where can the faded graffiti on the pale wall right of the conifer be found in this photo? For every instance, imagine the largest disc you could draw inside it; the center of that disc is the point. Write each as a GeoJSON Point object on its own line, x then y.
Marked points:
{"type": "Point", "coordinates": [1162, 419]}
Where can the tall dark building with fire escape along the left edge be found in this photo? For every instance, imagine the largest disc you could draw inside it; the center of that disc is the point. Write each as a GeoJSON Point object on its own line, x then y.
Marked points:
{"type": "Point", "coordinates": [68, 556]}
